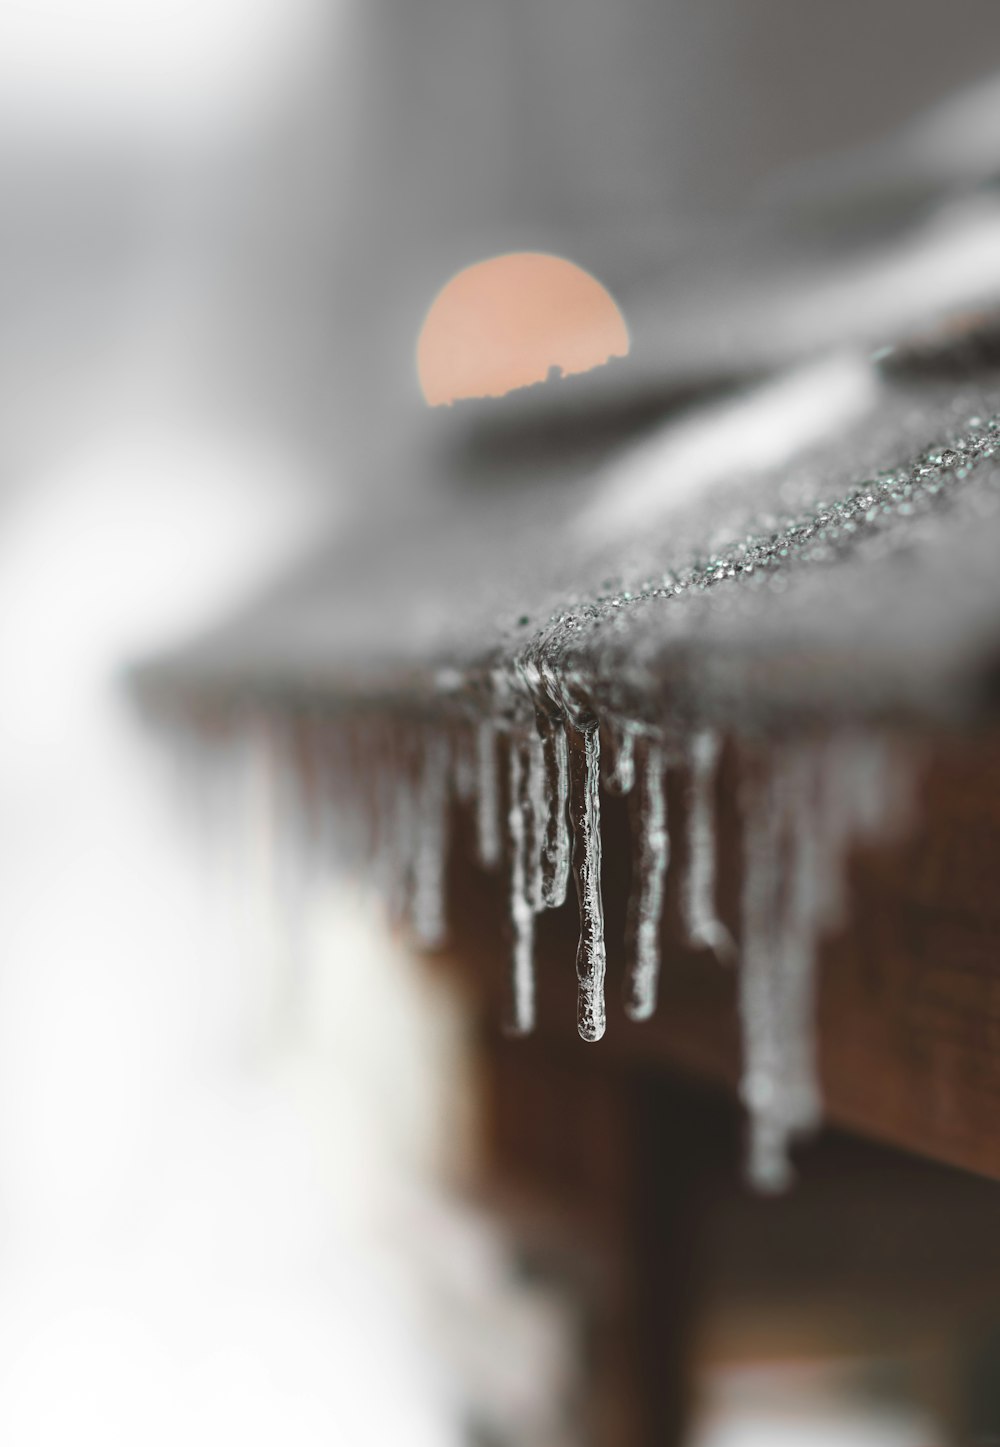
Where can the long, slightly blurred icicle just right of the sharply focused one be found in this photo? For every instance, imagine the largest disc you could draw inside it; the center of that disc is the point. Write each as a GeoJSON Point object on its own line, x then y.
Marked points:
{"type": "Point", "coordinates": [646, 904]}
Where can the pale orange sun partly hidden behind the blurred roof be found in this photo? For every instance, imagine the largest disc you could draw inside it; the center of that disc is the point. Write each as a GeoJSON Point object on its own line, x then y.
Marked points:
{"type": "Point", "coordinates": [507, 322]}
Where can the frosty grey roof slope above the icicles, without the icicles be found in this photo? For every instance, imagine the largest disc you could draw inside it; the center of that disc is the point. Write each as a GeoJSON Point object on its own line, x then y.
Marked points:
{"type": "Point", "coordinates": [859, 574]}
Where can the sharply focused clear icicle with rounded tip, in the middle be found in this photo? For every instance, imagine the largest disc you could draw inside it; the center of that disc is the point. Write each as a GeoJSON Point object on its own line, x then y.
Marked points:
{"type": "Point", "coordinates": [585, 804]}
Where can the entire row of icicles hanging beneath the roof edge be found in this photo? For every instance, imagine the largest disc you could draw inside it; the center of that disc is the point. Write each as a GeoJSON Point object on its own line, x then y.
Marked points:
{"type": "Point", "coordinates": [536, 792]}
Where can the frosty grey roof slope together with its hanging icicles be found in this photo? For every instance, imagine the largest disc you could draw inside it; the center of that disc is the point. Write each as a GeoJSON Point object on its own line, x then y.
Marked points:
{"type": "Point", "coordinates": [798, 600]}
